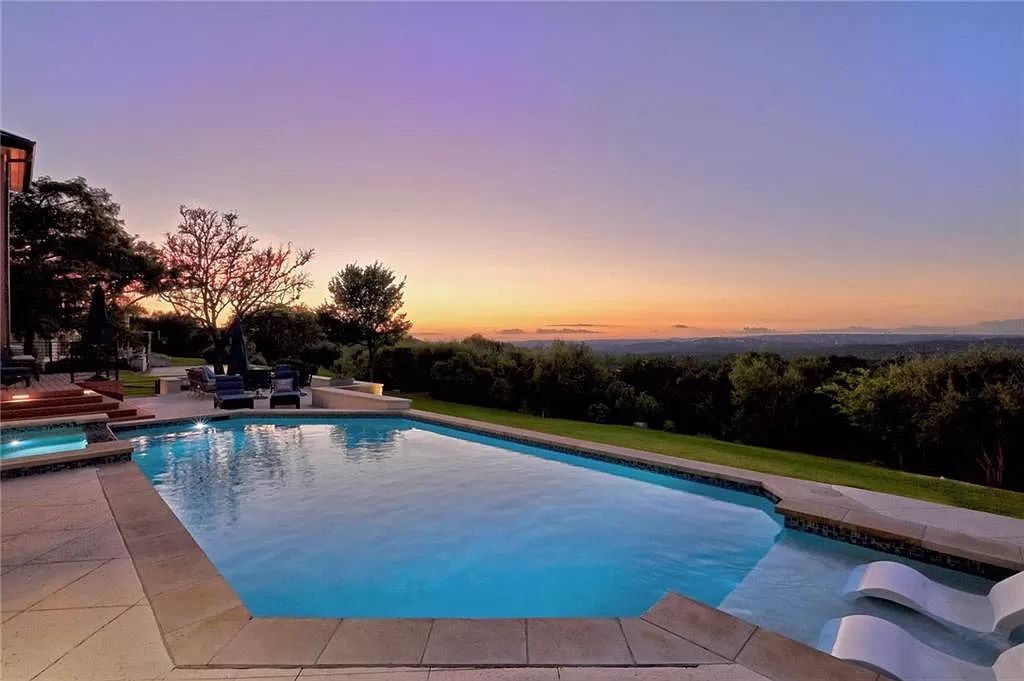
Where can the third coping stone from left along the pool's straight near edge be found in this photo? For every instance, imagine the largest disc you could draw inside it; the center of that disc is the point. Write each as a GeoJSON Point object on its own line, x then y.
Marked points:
{"type": "Point", "coordinates": [477, 643]}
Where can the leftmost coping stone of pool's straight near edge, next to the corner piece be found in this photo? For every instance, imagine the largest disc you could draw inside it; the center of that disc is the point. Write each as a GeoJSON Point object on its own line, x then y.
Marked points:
{"type": "Point", "coordinates": [278, 642]}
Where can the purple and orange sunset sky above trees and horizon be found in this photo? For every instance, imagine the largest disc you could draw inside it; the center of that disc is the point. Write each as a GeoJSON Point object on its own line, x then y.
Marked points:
{"type": "Point", "coordinates": [577, 171]}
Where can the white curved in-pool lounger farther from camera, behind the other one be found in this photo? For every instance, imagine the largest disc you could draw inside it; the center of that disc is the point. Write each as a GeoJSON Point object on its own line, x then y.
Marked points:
{"type": "Point", "coordinates": [1001, 612]}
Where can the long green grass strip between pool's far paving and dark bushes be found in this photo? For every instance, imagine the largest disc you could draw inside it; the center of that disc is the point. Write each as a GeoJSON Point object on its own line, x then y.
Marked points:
{"type": "Point", "coordinates": [793, 464]}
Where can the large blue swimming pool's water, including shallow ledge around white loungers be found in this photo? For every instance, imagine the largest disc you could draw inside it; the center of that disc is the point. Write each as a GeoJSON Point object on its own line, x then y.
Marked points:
{"type": "Point", "coordinates": [394, 518]}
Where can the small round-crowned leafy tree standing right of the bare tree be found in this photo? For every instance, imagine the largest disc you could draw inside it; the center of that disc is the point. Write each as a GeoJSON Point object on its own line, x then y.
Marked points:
{"type": "Point", "coordinates": [365, 310]}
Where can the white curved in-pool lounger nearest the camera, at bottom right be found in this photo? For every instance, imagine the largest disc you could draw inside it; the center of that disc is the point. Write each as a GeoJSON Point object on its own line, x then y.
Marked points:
{"type": "Point", "coordinates": [886, 649]}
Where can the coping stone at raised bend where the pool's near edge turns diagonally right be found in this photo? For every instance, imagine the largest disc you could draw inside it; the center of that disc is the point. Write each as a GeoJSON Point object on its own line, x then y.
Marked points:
{"type": "Point", "coordinates": [719, 632]}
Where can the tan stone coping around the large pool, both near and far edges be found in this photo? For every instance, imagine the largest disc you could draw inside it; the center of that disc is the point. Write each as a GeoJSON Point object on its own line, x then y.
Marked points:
{"type": "Point", "coordinates": [204, 624]}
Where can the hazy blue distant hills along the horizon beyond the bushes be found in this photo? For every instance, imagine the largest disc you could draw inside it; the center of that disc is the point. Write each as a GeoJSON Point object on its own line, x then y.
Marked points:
{"type": "Point", "coordinates": [871, 346]}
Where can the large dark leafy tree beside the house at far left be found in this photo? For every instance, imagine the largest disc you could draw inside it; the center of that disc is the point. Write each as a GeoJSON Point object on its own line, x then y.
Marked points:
{"type": "Point", "coordinates": [66, 239]}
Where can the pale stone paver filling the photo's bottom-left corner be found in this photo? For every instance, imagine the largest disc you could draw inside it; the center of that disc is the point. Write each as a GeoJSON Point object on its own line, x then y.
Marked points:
{"type": "Point", "coordinates": [34, 641]}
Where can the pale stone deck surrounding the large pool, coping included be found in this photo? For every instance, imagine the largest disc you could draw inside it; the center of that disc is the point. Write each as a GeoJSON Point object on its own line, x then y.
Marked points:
{"type": "Point", "coordinates": [102, 582]}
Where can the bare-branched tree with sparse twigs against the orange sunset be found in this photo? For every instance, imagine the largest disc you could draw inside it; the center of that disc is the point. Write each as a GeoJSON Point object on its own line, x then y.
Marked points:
{"type": "Point", "coordinates": [223, 272]}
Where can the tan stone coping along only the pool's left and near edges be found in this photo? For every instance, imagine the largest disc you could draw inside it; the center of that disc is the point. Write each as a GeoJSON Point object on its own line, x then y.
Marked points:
{"type": "Point", "coordinates": [205, 625]}
